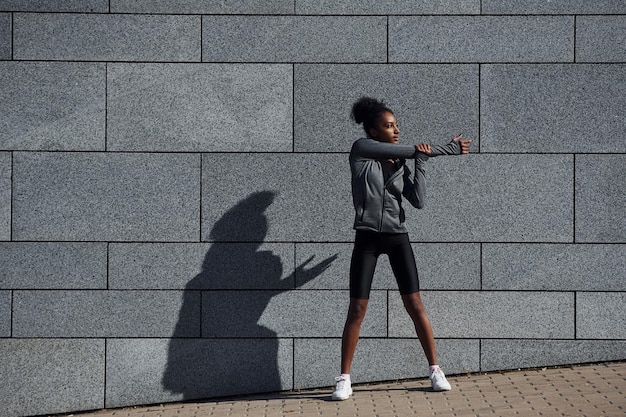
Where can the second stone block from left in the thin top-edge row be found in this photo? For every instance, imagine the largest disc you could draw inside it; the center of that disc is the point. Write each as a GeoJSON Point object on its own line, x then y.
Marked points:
{"type": "Point", "coordinates": [270, 7]}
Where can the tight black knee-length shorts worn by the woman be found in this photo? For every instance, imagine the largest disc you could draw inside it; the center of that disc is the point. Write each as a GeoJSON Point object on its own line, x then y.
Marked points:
{"type": "Point", "coordinates": [368, 246]}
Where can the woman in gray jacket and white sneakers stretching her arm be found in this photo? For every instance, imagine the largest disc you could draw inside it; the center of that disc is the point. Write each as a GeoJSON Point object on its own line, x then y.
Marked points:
{"type": "Point", "coordinates": [380, 178]}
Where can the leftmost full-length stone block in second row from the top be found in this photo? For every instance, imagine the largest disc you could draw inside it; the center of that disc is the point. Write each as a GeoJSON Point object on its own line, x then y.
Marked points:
{"type": "Point", "coordinates": [106, 37]}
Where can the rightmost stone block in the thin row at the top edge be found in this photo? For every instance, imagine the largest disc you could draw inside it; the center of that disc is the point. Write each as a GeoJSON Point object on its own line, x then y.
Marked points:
{"type": "Point", "coordinates": [569, 7]}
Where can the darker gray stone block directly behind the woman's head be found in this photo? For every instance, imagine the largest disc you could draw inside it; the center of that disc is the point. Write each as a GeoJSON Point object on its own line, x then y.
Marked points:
{"type": "Point", "coordinates": [433, 103]}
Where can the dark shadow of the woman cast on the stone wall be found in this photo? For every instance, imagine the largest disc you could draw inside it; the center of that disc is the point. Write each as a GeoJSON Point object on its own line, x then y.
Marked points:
{"type": "Point", "coordinates": [224, 302]}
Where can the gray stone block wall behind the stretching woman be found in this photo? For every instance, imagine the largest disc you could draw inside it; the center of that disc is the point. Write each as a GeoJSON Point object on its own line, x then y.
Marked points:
{"type": "Point", "coordinates": [175, 211]}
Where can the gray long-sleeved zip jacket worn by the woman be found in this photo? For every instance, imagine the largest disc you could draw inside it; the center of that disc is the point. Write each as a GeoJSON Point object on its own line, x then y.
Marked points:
{"type": "Point", "coordinates": [378, 199]}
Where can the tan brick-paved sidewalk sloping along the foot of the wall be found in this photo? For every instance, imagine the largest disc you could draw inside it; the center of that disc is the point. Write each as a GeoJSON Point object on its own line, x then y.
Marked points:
{"type": "Point", "coordinates": [589, 390]}
